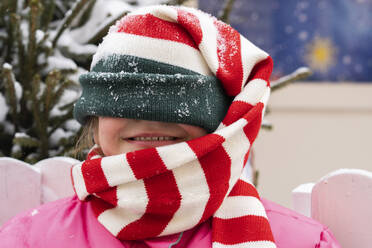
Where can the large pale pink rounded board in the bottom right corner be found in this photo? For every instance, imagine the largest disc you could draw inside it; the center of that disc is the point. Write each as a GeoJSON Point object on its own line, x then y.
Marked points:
{"type": "Point", "coordinates": [342, 200]}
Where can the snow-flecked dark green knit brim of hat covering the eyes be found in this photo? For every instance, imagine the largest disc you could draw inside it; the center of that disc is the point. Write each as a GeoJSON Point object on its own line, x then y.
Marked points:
{"type": "Point", "coordinates": [190, 98]}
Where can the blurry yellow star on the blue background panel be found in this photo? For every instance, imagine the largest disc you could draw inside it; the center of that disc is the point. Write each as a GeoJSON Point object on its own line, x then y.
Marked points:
{"type": "Point", "coordinates": [320, 54]}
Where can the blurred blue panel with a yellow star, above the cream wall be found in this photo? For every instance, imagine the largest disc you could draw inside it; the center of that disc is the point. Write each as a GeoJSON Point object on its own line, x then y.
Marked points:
{"type": "Point", "coordinates": [333, 37]}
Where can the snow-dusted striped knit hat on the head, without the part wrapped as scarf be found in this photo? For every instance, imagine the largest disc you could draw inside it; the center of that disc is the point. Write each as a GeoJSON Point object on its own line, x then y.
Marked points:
{"type": "Point", "coordinates": [171, 64]}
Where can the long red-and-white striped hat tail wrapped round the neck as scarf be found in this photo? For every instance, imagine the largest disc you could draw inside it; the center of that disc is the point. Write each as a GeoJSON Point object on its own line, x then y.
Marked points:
{"type": "Point", "coordinates": [169, 189]}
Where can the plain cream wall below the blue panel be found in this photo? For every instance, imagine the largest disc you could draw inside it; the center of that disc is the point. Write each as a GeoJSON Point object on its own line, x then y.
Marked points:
{"type": "Point", "coordinates": [318, 127]}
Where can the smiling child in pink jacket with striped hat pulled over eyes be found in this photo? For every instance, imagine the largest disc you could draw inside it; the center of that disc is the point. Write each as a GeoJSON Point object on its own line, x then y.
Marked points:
{"type": "Point", "coordinates": [174, 100]}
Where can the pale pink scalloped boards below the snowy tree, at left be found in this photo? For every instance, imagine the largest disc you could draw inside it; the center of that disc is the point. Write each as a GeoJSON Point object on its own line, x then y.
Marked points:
{"type": "Point", "coordinates": [23, 186]}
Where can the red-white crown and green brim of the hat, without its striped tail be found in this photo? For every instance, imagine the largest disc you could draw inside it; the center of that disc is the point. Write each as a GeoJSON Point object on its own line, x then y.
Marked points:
{"type": "Point", "coordinates": [152, 69]}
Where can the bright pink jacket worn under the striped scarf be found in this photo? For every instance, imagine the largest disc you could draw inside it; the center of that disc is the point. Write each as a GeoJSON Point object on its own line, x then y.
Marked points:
{"type": "Point", "coordinates": [71, 223]}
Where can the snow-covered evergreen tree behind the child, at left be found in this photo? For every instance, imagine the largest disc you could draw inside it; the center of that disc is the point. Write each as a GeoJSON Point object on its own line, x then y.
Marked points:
{"type": "Point", "coordinates": [44, 46]}
